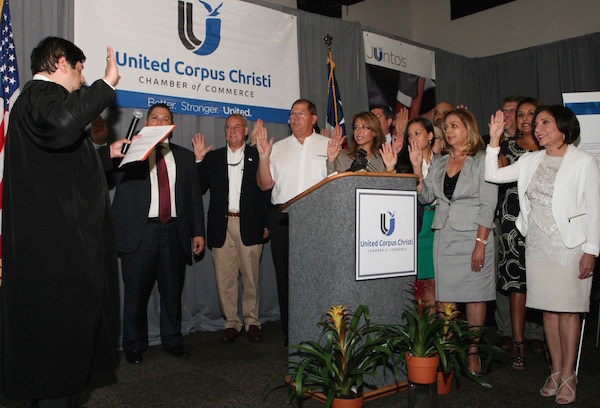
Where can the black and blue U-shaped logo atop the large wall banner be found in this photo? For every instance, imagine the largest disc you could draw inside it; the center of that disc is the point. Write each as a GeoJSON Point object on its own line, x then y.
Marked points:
{"type": "Point", "coordinates": [185, 26]}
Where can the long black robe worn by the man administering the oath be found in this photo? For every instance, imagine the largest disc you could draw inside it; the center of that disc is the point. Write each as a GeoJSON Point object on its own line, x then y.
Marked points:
{"type": "Point", "coordinates": [59, 293]}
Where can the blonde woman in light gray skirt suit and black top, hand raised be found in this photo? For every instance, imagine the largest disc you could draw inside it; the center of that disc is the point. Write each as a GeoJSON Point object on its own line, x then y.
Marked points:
{"type": "Point", "coordinates": [463, 253]}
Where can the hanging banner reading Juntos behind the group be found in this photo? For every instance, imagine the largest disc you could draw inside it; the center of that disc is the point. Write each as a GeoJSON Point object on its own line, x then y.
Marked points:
{"type": "Point", "coordinates": [399, 75]}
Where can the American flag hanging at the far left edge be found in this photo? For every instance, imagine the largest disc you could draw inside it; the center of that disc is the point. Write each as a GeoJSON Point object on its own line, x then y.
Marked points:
{"type": "Point", "coordinates": [9, 91]}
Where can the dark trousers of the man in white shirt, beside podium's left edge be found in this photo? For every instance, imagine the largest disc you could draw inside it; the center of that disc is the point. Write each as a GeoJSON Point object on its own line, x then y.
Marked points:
{"type": "Point", "coordinates": [280, 249]}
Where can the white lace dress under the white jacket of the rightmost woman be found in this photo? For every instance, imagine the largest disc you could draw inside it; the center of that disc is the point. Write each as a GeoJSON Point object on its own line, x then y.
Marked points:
{"type": "Point", "coordinates": [552, 268]}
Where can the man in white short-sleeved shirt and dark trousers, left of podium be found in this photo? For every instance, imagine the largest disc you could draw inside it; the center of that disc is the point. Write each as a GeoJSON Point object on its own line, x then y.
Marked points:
{"type": "Point", "coordinates": [289, 167]}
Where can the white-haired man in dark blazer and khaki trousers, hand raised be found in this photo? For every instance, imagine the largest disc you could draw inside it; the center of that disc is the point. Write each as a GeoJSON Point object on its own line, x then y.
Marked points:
{"type": "Point", "coordinates": [236, 224]}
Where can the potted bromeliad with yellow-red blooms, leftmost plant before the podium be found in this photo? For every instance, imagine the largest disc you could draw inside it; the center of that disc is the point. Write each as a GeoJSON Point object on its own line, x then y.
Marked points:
{"type": "Point", "coordinates": [351, 348]}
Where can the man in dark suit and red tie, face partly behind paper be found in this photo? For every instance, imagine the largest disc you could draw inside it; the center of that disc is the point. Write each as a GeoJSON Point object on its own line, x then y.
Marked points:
{"type": "Point", "coordinates": [155, 234]}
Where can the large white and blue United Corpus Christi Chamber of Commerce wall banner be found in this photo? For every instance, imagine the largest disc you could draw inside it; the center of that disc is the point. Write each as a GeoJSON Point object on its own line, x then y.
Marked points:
{"type": "Point", "coordinates": [210, 58]}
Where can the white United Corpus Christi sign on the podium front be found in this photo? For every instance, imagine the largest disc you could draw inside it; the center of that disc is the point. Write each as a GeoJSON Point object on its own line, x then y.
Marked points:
{"type": "Point", "coordinates": [386, 232]}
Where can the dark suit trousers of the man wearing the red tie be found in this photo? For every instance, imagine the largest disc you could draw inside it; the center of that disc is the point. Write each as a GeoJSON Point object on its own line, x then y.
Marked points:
{"type": "Point", "coordinates": [160, 258]}
